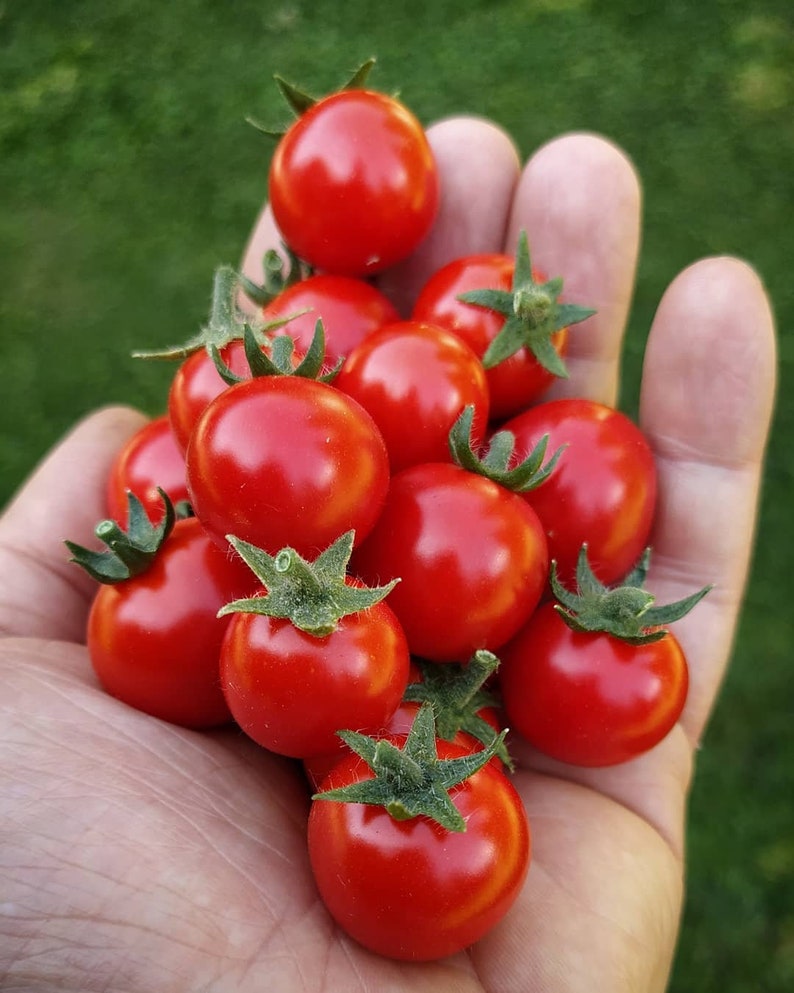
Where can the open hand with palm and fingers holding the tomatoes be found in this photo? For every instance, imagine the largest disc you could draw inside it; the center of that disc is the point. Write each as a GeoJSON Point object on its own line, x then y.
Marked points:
{"type": "Point", "coordinates": [135, 856]}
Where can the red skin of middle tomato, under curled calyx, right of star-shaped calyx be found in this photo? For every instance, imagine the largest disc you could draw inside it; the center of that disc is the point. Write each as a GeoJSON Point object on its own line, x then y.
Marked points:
{"type": "Point", "coordinates": [471, 557]}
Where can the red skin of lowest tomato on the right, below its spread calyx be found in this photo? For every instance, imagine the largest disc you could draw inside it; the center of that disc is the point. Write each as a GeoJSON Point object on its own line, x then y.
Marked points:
{"type": "Point", "coordinates": [590, 699]}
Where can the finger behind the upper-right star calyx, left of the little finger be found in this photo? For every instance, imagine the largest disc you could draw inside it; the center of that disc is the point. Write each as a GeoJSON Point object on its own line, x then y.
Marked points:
{"type": "Point", "coordinates": [579, 201]}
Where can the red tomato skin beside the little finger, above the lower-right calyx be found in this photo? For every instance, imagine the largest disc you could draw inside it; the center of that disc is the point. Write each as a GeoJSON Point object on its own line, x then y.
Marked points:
{"type": "Point", "coordinates": [602, 491]}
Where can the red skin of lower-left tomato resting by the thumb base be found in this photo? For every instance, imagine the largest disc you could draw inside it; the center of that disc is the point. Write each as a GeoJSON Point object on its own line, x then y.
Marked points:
{"type": "Point", "coordinates": [154, 640]}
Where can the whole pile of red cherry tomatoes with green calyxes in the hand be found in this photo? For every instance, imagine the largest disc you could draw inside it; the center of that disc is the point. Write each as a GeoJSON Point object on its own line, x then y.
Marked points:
{"type": "Point", "coordinates": [366, 539]}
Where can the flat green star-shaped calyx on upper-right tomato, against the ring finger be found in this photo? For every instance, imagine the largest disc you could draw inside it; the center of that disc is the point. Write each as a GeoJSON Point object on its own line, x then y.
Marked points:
{"type": "Point", "coordinates": [533, 314]}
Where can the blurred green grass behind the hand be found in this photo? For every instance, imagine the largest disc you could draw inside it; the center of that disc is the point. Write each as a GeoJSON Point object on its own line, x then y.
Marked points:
{"type": "Point", "coordinates": [127, 174]}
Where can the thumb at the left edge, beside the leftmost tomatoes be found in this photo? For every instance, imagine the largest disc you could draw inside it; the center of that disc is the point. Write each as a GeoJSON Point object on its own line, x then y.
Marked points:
{"type": "Point", "coordinates": [42, 594]}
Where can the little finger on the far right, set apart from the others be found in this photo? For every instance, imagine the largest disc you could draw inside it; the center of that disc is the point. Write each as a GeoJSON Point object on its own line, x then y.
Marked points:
{"type": "Point", "coordinates": [706, 404]}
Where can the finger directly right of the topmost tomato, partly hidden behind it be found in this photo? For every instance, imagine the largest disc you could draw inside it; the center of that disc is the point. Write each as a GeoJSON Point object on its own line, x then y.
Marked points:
{"type": "Point", "coordinates": [478, 169]}
